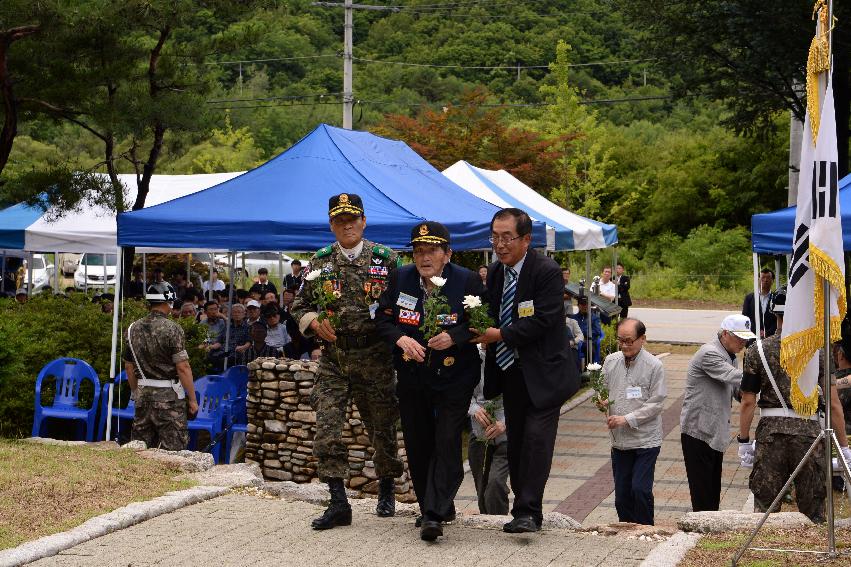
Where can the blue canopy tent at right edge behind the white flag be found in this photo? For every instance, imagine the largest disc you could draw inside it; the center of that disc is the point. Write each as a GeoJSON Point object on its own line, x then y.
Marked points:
{"type": "Point", "coordinates": [771, 233]}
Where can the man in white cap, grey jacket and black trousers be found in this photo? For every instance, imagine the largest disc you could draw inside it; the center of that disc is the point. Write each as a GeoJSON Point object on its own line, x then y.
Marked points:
{"type": "Point", "coordinates": [713, 377]}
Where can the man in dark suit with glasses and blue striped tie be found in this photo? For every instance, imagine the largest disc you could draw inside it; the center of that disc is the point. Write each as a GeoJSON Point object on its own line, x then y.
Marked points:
{"type": "Point", "coordinates": [528, 360]}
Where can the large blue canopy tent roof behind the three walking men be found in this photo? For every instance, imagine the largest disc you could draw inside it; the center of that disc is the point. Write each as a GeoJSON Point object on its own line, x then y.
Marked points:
{"type": "Point", "coordinates": [283, 204]}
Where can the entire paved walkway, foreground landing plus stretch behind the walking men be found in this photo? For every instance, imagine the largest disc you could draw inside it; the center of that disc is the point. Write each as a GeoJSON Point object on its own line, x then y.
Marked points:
{"type": "Point", "coordinates": [249, 528]}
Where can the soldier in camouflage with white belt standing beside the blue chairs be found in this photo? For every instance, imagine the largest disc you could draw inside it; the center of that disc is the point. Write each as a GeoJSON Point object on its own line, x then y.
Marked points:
{"type": "Point", "coordinates": [159, 374]}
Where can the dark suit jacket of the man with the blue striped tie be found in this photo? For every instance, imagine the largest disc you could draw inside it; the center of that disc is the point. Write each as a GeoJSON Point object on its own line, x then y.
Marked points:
{"type": "Point", "coordinates": [546, 359]}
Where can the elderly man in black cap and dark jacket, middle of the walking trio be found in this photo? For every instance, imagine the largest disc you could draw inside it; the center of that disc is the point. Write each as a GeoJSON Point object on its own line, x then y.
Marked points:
{"type": "Point", "coordinates": [436, 375]}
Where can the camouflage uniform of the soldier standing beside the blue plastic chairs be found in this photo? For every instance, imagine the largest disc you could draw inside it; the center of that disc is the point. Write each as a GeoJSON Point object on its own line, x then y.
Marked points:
{"type": "Point", "coordinates": [161, 418]}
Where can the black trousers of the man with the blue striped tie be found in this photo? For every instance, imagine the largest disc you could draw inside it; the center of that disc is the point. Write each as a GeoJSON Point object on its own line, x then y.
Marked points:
{"type": "Point", "coordinates": [531, 433]}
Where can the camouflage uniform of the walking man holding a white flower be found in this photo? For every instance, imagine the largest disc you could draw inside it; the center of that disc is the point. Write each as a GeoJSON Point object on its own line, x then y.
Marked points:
{"type": "Point", "coordinates": [358, 365]}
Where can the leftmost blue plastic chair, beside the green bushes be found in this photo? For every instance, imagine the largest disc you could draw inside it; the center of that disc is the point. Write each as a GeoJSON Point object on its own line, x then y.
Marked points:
{"type": "Point", "coordinates": [69, 375]}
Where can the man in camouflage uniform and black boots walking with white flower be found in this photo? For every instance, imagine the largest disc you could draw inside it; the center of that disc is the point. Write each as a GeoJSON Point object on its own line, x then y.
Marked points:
{"type": "Point", "coordinates": [337, 303]}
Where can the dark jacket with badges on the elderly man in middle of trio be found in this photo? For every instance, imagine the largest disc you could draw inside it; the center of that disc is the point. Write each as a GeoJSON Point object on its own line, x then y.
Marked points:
{"type": "Point", "coordinates": [459, 366]}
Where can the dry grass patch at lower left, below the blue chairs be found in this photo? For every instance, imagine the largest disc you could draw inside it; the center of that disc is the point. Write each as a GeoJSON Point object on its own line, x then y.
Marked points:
{"type": "Point", "coordinates": [45, 489]}
